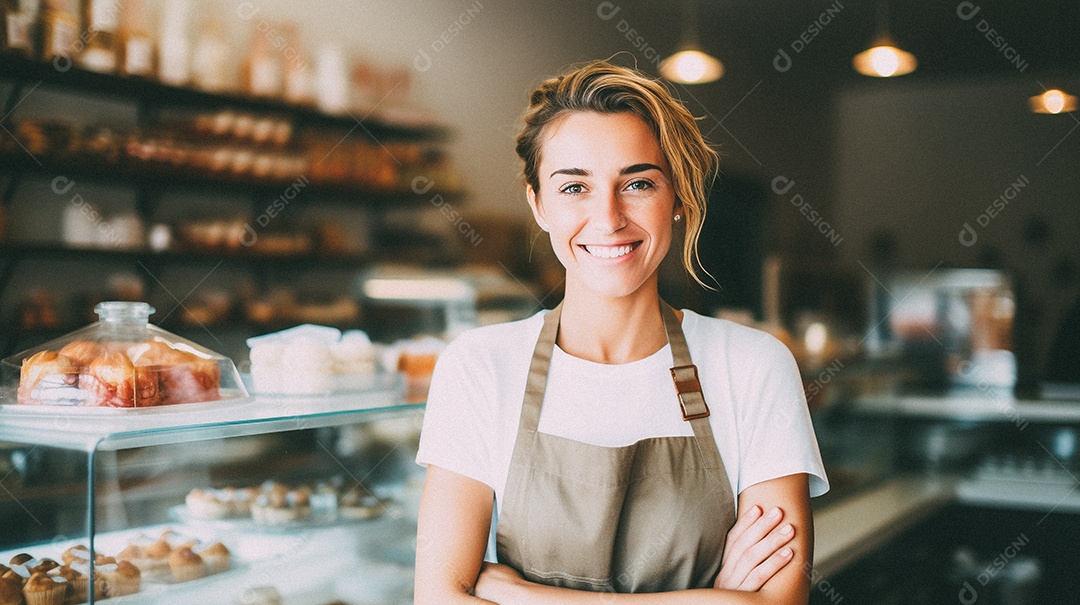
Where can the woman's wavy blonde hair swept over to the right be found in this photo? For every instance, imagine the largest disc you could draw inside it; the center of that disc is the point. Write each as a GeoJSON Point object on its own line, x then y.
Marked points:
{"type": "Point", "coordinates": [610, 89]}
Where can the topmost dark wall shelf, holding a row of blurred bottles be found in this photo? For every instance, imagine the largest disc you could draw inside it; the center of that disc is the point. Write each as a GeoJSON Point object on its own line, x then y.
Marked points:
{"type": "Point", "coordinates": [153, 93]}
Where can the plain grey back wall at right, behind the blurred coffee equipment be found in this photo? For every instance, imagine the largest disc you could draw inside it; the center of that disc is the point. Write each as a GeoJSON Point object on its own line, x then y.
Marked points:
{"type": "Point", "coordinates": [922, 162]}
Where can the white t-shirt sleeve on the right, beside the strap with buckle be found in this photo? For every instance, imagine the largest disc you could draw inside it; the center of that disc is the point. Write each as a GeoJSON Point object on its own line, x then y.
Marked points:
{"type": "Point", "coordinates": [780, 438]}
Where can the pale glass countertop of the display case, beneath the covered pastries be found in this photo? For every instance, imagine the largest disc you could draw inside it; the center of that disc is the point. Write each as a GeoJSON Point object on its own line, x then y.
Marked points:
{"type": "Point", "coordinates": [113, 429]}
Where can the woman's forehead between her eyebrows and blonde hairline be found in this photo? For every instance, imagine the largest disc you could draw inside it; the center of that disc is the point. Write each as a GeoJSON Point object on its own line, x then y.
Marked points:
{"type": "Point", "coordinates": [591, 140]}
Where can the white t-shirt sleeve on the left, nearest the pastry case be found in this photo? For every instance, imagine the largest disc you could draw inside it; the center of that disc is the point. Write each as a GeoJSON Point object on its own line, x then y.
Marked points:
{"type": "Point", "coordinates": [457, 432]}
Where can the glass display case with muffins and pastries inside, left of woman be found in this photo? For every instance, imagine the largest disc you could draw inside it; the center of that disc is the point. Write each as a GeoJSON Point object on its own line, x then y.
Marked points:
{"type": "Point", "coordinates": [283, 500]}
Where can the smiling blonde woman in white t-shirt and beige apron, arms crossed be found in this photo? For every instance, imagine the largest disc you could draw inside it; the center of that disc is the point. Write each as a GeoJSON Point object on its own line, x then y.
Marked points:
{"type": "Point", "coordinates": [625, 485]}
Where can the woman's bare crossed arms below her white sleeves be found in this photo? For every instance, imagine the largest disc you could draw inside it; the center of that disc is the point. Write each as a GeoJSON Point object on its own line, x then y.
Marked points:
{"type": "Point", "coordinates": [763, 561]}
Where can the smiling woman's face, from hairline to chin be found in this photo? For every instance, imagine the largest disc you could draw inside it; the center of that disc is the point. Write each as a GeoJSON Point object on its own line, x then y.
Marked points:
{"type": "Point", "coordinates": [607, 200]}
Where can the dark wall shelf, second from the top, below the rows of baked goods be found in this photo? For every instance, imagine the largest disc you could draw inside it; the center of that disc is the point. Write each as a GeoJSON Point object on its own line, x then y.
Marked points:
{"type": "Point", "coordinates": [163, 178]}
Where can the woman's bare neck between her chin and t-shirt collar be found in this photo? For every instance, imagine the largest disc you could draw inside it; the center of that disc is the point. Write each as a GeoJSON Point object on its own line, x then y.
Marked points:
{"type": "Point", "coordinates": [612, 330]}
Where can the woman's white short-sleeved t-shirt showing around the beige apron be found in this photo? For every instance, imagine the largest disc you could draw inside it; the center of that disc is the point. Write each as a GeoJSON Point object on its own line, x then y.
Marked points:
{"type": "Point", "coordinates": [750, 380]}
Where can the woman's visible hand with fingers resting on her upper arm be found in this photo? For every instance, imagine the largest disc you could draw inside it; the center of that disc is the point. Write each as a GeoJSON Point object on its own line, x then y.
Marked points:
{"type": "Point", "coordinates": [754, 550]}
